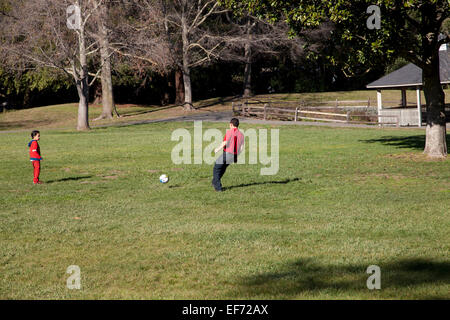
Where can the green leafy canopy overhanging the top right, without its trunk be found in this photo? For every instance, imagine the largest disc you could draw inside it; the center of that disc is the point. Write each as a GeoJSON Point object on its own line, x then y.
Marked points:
{"type": "Point", "coordinates": [399, 35]}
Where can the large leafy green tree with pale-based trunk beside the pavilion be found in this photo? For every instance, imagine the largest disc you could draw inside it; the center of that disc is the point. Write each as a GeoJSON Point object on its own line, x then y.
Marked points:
{"type": "Point", "coordinates": [410, 29]}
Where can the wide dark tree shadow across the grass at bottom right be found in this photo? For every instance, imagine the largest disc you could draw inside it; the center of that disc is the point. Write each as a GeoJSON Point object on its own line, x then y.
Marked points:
{"type": "Point", "coordinates": [308, 276]}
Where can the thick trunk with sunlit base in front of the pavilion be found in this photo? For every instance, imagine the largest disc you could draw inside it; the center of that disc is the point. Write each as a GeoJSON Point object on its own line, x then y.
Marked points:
{"type": "Point", "coordinates": [435, 145]}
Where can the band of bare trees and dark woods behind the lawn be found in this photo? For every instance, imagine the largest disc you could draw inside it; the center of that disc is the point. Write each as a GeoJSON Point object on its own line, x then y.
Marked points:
{"type": "Point", "coordinates": [158, 52]}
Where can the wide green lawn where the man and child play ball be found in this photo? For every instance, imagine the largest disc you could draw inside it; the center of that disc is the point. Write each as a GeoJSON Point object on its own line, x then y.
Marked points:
{"type": "Point", "coordinates": [343, 199]}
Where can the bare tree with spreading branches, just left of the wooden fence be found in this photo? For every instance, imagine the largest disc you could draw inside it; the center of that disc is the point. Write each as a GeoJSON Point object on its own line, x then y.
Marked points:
{"type": "Point", "coordinates": [169, 35]}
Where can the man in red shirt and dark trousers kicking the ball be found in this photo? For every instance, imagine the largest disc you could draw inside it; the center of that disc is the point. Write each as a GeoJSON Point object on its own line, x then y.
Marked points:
{"type": "Point", "coordinates": [232, 146]}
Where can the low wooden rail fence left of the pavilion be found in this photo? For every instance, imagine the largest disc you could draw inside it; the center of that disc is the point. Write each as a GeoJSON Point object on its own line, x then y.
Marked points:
{"type": "Point", "coordinates": [254, 109]}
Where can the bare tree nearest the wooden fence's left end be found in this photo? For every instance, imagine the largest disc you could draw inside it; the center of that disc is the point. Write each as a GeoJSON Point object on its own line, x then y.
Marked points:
{"type": "Point", "coordinates": [187, 42]}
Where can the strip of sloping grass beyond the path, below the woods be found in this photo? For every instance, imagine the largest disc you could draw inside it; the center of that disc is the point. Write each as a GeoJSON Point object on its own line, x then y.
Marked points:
{"type": "Point", "coordinates": [65, 116]}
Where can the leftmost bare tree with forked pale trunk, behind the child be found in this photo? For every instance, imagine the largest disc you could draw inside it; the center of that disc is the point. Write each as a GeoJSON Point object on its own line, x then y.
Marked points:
{"type": "Point", "coordinates": [47, 37]}
